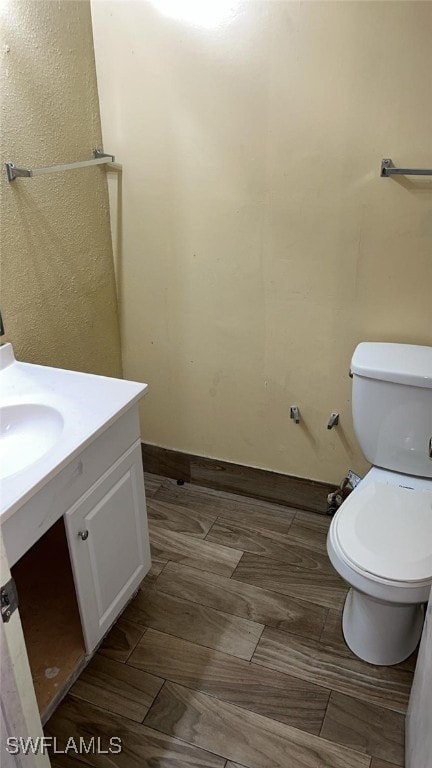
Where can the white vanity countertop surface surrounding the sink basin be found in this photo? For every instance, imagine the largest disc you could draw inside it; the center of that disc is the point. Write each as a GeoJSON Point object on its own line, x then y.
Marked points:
{"type": "Point", "coordinates": [86, 405]}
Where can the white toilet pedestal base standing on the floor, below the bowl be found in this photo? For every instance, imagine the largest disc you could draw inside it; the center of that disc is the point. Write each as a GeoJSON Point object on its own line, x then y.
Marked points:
{"type": "Point", "coordinates": [378, 632]}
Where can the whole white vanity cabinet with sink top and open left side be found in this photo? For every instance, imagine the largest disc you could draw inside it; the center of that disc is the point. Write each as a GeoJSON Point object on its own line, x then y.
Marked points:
{"type": "Point", "coordinates": [72, 512]}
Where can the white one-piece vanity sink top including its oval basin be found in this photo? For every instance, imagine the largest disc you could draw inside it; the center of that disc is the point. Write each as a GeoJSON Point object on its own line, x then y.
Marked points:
{"type": "Point", "coordinates": [48, 416]}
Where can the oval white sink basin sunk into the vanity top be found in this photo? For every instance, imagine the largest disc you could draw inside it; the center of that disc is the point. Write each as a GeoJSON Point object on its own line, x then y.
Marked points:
{"type": "Point", "coordinates": [27, 432]}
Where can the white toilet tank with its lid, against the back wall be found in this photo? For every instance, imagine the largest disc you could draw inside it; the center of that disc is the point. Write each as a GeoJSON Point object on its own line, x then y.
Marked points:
{"type": "Point", "coordinates": [392, 406]}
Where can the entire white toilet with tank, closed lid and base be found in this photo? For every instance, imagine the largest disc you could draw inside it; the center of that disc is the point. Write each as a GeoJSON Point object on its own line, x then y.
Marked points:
{"type": "Point", "coordinates": [380, 539]}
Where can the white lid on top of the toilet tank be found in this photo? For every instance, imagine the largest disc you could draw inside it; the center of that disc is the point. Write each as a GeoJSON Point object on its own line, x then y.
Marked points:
{"type": "Point", "coordinates": [407, 364]}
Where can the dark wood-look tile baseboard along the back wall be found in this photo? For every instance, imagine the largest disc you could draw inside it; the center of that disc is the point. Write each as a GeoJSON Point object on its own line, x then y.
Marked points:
{"type": "Point", "coordinates": [298, 492]}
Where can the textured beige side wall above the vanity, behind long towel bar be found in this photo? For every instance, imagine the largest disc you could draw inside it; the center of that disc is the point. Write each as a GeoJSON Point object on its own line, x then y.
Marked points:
{"type": "Point", "coordinates": [57, 284]}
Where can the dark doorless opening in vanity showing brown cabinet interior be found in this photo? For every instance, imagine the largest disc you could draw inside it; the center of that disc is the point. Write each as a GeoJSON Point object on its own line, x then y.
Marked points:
{"type": "Point", "coordinates": [49, 615]}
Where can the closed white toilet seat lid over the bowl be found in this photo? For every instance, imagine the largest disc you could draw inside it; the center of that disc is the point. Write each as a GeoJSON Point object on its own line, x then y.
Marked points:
{"type": "Point", "coordinates": [386, 530]}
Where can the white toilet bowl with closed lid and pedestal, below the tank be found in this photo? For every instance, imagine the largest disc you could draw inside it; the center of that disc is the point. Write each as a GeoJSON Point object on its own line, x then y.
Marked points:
{"type": "Point", "coordinates": [380, 542]}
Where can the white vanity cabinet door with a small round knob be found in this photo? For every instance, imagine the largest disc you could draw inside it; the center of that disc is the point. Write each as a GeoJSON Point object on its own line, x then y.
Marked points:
{"type": "Point", "coordinates": [109, 545]}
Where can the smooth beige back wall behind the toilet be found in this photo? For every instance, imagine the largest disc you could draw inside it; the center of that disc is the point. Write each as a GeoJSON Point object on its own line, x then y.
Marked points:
{"type": "Point", "coordinates": [259, 243]}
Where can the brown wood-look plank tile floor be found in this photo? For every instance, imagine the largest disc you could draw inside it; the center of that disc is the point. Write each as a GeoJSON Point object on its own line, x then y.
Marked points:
{"type": "Point", "coordinates": [231, 654]}
